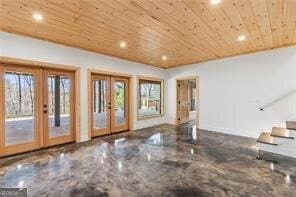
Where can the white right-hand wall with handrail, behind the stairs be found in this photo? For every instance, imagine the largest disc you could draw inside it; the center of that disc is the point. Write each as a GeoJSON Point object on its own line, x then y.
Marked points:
{"type": "Point", "coordinates": [233, 89]}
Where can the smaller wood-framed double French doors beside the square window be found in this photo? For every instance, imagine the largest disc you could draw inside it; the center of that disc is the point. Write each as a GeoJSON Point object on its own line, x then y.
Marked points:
{"type": "Point", "coordinates": [109, 104]}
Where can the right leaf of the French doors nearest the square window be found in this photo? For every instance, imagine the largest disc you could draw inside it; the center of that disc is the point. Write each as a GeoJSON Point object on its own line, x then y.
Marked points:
{"type": "Point", "coordinates": [119, 104]}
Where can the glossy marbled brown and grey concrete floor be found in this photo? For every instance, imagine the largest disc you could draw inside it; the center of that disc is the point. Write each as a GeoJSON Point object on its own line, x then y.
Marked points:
{"type": "Point", "coordinates": [163, 160]}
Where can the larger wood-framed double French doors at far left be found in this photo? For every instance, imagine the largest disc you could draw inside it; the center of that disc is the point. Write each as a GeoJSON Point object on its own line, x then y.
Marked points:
{"type": "Point", "coordinates": [36, 108]}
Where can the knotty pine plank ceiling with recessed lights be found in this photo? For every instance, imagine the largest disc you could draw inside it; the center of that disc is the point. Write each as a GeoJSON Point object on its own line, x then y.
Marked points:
{"type": "Point", "coordinates": [185, 31]}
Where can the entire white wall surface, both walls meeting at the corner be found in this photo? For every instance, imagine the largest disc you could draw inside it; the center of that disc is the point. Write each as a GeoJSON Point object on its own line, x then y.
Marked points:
{"type": "Point", "coordinates": [231, 90]}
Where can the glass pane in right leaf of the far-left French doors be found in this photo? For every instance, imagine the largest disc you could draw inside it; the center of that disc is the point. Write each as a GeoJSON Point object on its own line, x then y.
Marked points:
{"type": "Point", "coordinates": [59, 105]}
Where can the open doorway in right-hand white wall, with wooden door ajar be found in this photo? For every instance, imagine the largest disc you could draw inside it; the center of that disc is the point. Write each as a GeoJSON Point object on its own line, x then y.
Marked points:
{"type": "Point", "coordinates": [187, 100]}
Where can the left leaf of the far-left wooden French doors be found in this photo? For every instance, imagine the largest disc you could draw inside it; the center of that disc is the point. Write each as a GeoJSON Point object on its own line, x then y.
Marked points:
{"type": "Point", "coordinates": [20, 112]}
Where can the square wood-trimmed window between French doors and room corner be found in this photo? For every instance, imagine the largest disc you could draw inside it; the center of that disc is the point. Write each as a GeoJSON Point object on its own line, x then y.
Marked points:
{"type": "Point", "coordinates": [150, 98]}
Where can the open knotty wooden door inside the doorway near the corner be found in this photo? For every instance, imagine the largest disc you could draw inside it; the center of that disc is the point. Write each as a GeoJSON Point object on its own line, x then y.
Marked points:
{"type": "Point", "coordinates": [183, 101]}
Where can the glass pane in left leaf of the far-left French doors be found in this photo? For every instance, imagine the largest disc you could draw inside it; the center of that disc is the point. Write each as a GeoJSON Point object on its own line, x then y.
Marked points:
{"type": "Point", "coordinates": [19, 108]}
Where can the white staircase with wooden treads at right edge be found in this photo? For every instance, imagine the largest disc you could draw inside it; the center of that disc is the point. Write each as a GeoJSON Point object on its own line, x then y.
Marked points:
{"type": "Point", "coordinates": [280, 141]}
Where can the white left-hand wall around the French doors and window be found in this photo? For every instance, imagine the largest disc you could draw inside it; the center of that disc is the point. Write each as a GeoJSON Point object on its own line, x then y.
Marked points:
{"type": "Point", "coordinates": [15, 46]}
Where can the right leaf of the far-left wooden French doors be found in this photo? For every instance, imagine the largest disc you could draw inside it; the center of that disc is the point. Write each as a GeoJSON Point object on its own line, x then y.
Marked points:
{"type": "Point", "coordinates": [58, 107]}
